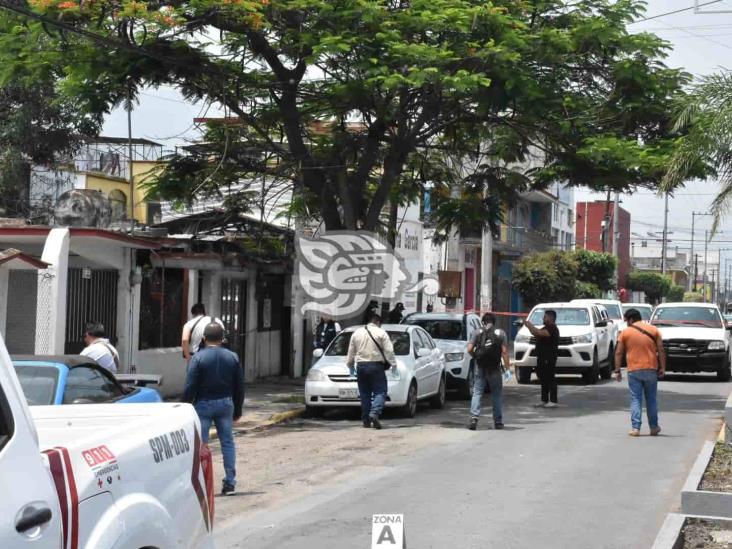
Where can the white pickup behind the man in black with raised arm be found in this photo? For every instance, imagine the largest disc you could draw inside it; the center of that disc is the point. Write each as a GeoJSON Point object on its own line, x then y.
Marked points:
{"type": "Point", "coordinates": [586, 346]}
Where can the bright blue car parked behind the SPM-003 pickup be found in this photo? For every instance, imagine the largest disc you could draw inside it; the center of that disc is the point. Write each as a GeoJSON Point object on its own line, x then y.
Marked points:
{"type": "Point", "coordinates": [74, 379]}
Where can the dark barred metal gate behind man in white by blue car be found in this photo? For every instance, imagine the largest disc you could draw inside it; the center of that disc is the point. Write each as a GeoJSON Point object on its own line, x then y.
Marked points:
{"type": "Point", "coordinates": [91, 296]}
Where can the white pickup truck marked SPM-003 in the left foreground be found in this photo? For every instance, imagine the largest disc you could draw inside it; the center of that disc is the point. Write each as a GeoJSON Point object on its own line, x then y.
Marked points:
{"type": "Point", "coordinates": [101, 476]}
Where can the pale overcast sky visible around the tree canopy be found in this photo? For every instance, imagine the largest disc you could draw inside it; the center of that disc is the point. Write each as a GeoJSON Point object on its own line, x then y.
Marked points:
{"type": "Point", "coordinates": [702, 44]}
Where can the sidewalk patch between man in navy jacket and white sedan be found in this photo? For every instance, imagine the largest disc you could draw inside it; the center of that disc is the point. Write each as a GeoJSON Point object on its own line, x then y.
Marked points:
{"type": "Point", "coordinates": [270, 401]}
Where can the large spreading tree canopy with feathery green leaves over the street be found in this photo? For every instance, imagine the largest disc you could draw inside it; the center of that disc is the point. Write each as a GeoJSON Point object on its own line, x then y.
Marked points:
{"type": "Point", "coordinates": [360, 103]}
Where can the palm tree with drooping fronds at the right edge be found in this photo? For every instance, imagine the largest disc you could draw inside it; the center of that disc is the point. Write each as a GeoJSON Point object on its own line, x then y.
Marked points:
{"type": "Point", "coordinates": [706, 120]}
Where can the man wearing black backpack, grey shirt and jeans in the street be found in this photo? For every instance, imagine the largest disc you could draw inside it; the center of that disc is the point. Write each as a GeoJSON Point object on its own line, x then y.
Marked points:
{"type": "Point", "coordinates": [488, 346]}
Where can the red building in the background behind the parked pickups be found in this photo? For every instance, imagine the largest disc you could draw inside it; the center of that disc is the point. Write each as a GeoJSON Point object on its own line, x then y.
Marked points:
{"type": "Point", "coordinates": [594, 232]}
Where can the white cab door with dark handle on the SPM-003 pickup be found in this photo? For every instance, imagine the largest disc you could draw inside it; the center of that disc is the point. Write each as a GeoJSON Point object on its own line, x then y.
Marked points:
{"type": "Point", "coordinates": [29, 506]}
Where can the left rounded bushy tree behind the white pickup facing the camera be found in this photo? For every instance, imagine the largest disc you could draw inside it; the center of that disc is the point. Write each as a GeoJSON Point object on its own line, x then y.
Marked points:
{"type": "Point", "coordinates": [545, 277]}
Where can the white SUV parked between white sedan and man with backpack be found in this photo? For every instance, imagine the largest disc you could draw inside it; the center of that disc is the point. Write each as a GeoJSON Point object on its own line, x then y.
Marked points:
{"type": "Point", "coordinates": [451, 333]}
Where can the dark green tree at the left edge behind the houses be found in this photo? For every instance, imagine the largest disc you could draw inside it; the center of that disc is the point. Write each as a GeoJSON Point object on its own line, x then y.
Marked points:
{"type": "Point", "coordinates": [38, 124]}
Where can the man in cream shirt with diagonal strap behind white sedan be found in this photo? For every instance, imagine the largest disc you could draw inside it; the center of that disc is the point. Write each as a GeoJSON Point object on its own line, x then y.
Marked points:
{"type": "Point", "coordinates": [371, 350]}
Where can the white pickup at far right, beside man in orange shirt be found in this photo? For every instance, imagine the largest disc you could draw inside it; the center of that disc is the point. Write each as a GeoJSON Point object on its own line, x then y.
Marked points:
{"type": "Point", "coordinates": [696, 338]}
